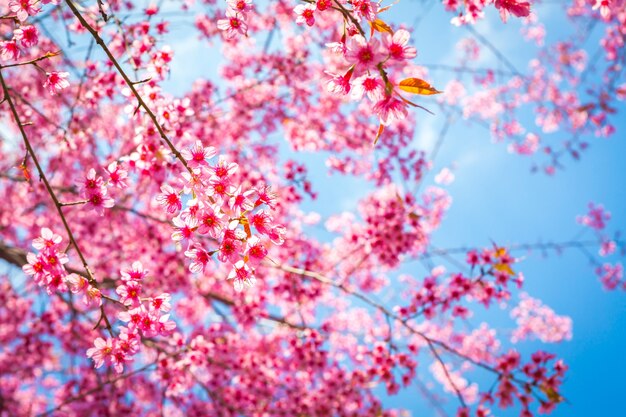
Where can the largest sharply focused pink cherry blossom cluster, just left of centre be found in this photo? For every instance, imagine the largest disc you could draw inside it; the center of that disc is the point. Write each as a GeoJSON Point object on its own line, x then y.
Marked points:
{"type": "Point", "coordinates": [219, 216]}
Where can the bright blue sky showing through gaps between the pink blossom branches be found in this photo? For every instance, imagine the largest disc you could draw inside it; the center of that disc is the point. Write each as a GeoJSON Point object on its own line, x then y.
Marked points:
{"type": "Point", "coordinates": [496, 198]}
